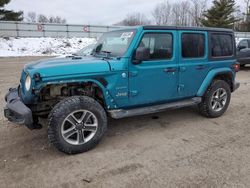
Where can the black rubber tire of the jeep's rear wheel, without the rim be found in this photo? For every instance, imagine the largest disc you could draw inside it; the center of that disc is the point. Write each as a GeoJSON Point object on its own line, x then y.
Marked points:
{"type": "Point", "coordinates": [205, 107]}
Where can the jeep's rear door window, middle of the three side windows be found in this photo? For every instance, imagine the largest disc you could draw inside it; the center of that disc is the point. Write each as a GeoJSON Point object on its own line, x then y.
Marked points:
{"type": "Point", "coordinates": [193, 45]}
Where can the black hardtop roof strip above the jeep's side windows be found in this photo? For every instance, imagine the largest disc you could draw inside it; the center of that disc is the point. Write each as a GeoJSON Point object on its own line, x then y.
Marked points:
{"type": "Point", "coordinates": [163, 27]}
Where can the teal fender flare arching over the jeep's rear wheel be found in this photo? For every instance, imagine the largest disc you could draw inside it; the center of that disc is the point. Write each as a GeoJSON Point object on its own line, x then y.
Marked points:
{"type": "Point", "coordinates": [209, 78]}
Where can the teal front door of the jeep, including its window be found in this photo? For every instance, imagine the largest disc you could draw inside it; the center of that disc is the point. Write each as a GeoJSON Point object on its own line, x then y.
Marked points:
{"type": "Point", "coordinates": [155, 80]}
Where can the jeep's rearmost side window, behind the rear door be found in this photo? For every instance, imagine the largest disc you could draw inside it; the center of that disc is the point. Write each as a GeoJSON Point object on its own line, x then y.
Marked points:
{"type": "Point", "coordinates": [221, 45]}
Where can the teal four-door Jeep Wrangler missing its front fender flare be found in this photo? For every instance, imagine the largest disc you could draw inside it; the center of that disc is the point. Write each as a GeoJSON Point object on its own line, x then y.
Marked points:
{"type": "Point", "coordinates": [134, 71]}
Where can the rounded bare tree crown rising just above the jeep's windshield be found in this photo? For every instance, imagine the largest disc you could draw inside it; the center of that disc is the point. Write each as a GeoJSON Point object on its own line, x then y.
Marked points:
{"type": "Point", "coordinates": [133, 19]}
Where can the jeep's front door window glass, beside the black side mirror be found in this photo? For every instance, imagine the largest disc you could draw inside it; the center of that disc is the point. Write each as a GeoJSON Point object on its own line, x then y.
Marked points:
{"type": "Point", "coordinates": [159, 44]}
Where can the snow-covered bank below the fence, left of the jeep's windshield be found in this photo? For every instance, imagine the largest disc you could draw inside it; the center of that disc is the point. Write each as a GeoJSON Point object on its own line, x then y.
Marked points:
{"type": "Point", "coordinates": [42, 46]}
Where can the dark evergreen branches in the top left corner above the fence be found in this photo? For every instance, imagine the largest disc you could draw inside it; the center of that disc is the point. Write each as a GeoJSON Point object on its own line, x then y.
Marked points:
{"type": "Point", "coordinates": [9, 15]}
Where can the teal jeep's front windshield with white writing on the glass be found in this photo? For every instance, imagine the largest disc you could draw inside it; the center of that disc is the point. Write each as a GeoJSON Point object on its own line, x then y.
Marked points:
{"type": "Point", "coordinates": [114, 43]}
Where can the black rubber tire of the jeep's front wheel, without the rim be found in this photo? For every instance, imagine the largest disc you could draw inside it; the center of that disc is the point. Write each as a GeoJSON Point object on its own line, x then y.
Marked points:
{"type": "Point", "coordinates": [62, 110]}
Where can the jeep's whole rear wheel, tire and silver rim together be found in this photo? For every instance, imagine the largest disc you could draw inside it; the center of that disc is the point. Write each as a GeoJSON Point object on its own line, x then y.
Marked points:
{"type": "Point", "coordinates": [216, 99]}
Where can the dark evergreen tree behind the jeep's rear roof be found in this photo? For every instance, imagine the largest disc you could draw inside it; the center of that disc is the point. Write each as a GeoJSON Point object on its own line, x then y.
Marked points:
{"type": "Point", "coordinates": [221, 14]}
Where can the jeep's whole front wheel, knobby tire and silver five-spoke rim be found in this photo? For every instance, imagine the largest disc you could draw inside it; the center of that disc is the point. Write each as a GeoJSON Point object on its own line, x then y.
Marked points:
{"type": "Point", "coordinates": [77, 124]}
